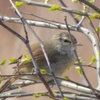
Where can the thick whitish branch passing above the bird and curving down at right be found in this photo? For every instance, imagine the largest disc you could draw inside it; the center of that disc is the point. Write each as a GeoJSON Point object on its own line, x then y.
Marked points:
{"type": "Point", "coordinates": [92, 37]}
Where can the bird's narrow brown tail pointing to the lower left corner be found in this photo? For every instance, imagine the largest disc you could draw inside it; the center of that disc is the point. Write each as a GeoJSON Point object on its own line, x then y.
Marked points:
{"type": "Point", "coordinates": [8, 83]}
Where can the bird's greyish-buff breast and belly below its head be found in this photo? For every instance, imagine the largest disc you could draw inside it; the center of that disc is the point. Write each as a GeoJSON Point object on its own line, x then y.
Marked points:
{"type": "Point", "coordinates": [63, 61]}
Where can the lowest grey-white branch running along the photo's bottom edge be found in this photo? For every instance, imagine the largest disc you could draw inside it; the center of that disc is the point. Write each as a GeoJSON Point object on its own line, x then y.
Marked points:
{"type": "Point", "coordinates": [67, 94]}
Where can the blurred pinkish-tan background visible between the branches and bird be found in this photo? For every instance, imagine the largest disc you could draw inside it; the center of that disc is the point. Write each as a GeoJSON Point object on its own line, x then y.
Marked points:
{"type": "Point", "coordinates": [12, 47]}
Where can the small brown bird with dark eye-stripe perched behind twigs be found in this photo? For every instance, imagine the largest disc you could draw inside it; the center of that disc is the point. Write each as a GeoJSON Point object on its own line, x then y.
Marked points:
{"type": "Point", "coordinates": [60, 53]}
